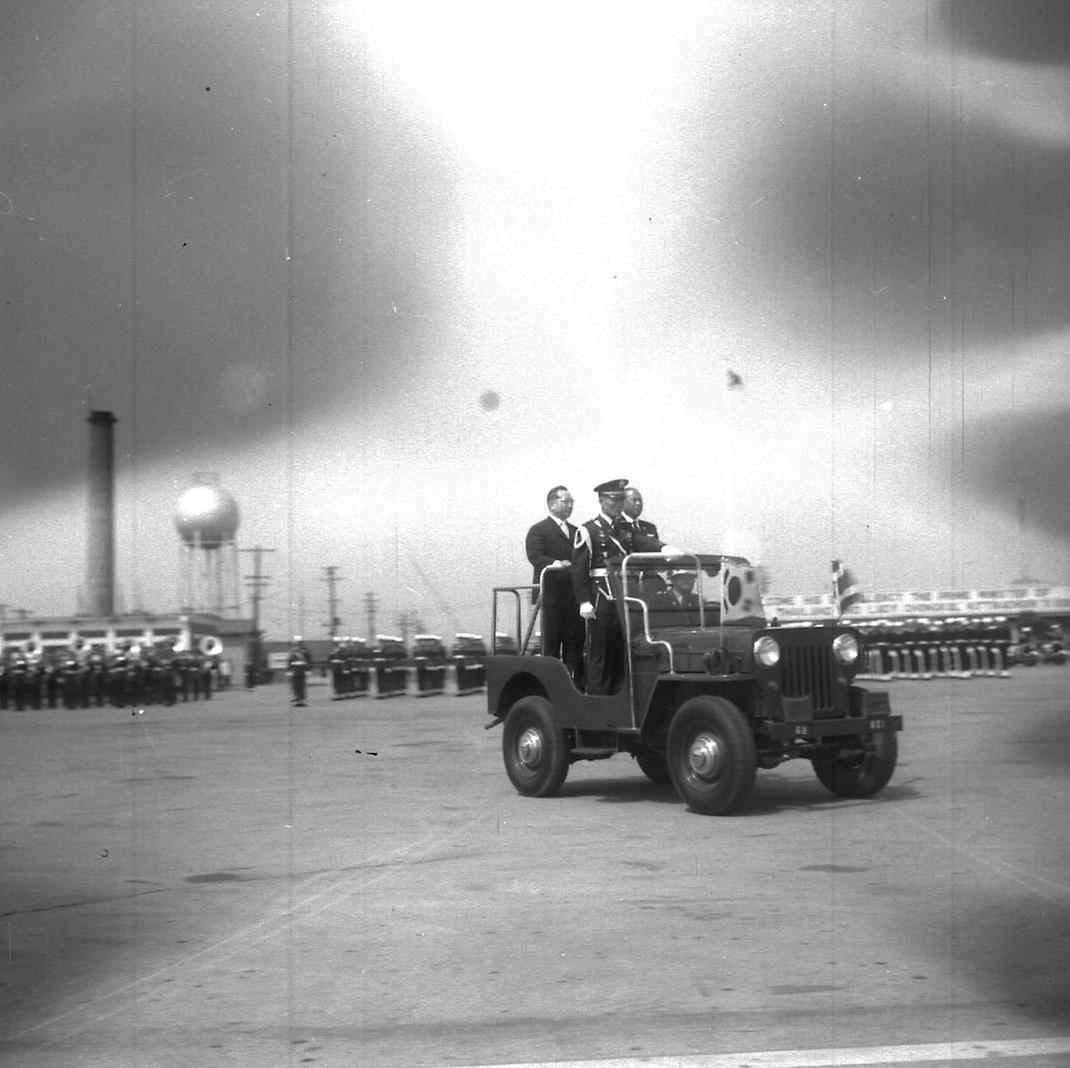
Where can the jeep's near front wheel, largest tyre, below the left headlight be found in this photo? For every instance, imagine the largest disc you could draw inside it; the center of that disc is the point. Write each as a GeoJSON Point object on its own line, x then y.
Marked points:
{"type": "Point", "coordinates": [711, 757]}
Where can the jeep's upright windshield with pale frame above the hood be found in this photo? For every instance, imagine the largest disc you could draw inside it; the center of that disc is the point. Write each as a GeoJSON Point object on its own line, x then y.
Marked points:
{"type": "Point", "coordinates": [698, 592]}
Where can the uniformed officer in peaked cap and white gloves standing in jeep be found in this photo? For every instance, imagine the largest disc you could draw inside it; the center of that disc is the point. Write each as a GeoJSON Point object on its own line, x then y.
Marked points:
{"type": "Point", "coordinates": [600, 543]}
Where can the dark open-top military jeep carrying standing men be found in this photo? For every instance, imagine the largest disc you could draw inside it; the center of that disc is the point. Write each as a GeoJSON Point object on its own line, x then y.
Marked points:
{"type": "Point", "coordinates": [711, 692]}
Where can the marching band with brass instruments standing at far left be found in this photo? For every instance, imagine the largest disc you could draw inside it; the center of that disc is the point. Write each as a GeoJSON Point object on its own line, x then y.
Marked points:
{"type": "Point", "coordinates": [132, 676]}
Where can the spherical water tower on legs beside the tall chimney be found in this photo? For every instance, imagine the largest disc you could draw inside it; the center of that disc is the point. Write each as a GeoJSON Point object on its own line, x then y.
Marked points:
{"type": "Point", "coordinates": [207, 521]}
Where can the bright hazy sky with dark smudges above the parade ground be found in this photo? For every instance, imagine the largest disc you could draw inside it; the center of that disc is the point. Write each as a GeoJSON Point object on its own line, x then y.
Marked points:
{"type": "Point", "coordinates": [296, 246]}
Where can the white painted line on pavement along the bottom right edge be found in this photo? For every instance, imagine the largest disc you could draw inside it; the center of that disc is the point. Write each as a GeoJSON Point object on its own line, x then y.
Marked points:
{"type": "Point", "coordinates": [851, 1058]}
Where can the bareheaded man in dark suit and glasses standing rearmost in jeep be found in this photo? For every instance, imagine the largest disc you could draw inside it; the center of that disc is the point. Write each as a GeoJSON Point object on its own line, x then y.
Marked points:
{"type": "Point", "coordinates": [549, 548]}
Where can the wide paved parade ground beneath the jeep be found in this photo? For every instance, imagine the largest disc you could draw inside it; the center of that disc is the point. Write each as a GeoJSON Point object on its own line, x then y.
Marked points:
{"type": "Point", "coordinates": [357, 883]}
